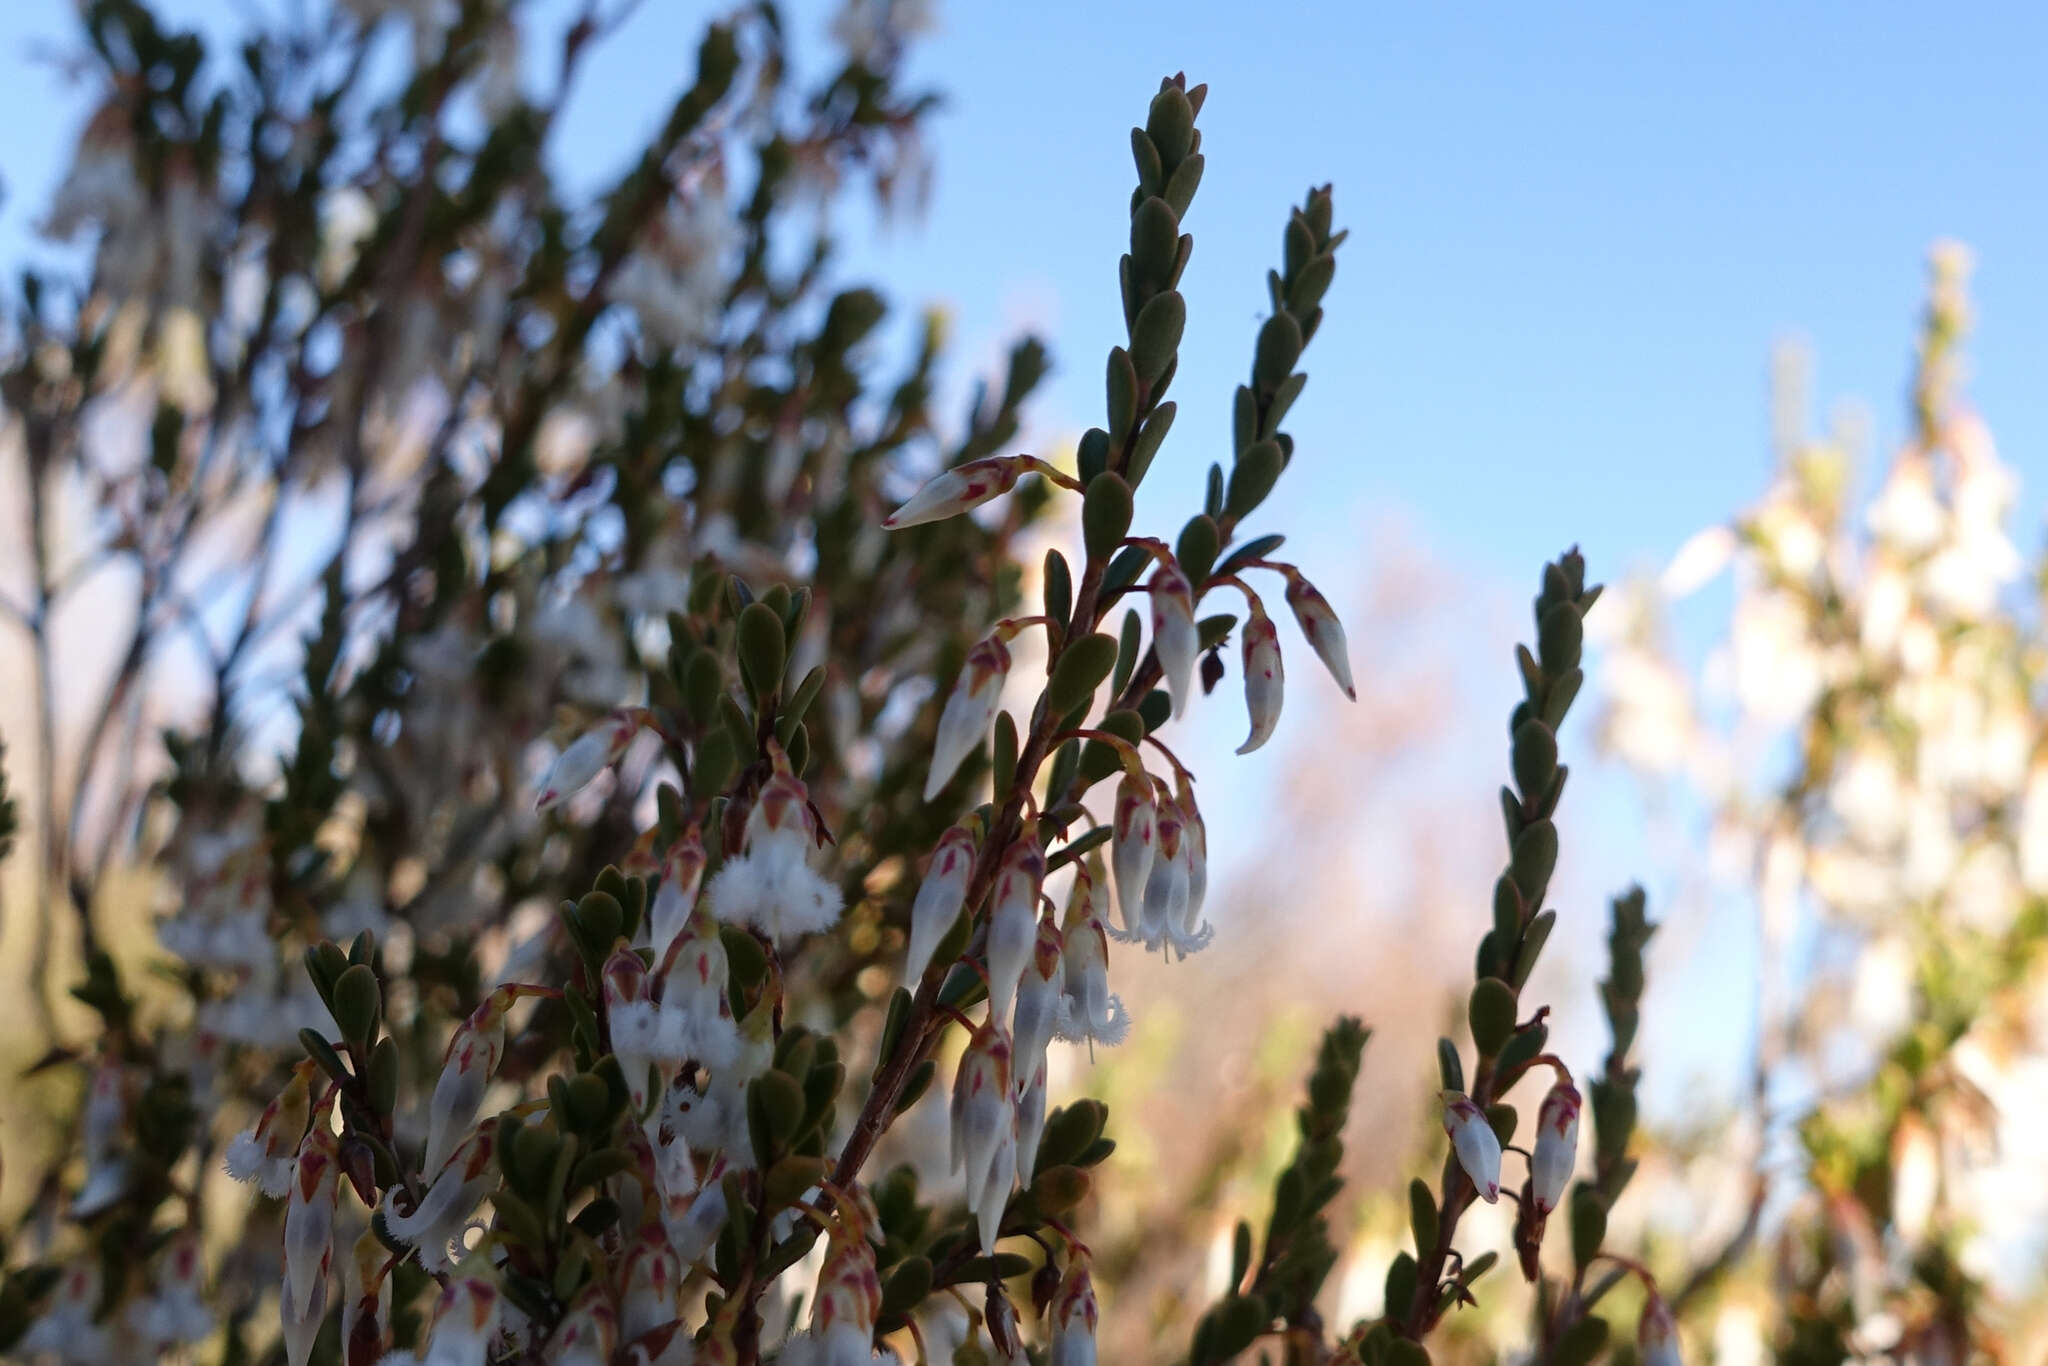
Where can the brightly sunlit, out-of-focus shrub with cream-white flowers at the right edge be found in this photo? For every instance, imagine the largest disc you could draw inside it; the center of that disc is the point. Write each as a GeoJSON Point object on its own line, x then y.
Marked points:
{"type": "Point", "coordinates": [1869, 744]}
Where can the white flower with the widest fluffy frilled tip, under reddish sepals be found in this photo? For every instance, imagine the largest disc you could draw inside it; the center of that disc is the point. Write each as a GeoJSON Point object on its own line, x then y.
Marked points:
{"type": "Point", "coordinates": [771, 884]}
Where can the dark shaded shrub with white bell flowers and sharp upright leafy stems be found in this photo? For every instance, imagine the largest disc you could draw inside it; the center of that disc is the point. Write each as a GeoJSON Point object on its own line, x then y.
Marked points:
{"type": "Point", "coordinates": [558, 974]}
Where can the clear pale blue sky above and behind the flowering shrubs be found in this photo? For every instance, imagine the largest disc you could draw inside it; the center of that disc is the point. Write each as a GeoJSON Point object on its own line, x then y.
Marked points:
{"type": "Point", "coordinates": [1576, 237]}
